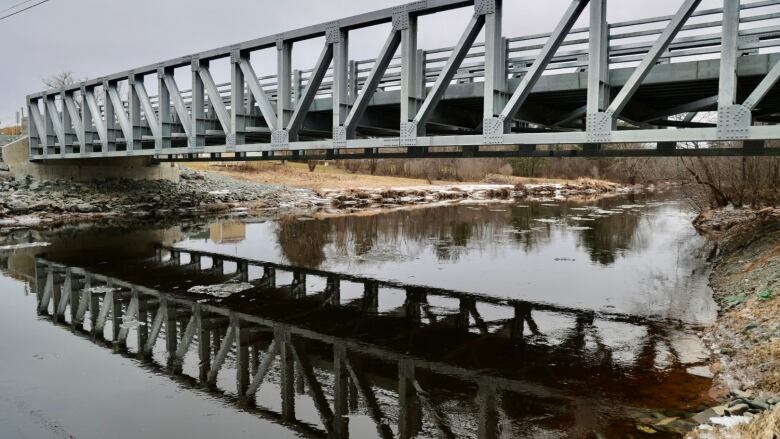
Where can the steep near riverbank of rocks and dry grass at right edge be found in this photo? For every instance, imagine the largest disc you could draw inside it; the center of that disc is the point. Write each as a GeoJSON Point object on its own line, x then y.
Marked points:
{"type": "Point", "coordinates": [745, 339]}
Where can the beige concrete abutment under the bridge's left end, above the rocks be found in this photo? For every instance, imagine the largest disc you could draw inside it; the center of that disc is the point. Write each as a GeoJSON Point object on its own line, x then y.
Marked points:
{"type": "Point", "coordinates": [16, 156]}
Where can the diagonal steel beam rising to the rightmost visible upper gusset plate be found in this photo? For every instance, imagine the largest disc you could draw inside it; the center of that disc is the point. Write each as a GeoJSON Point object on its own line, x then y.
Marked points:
{"type": "Point", "coordinates": [448, 71]}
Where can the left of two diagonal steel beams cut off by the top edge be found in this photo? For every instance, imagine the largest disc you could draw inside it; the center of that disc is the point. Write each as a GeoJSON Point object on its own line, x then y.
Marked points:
{"type": "Point", "coordinates": [523, 90]}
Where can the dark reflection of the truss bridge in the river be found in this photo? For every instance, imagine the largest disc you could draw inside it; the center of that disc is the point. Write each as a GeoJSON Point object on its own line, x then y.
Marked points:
{"type": "Point", "coordinates": [416, 361]}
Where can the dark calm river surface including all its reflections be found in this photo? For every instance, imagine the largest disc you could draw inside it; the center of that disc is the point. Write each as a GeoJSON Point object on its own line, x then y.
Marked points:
{"type": "Point", "coordinates": [543, 320]}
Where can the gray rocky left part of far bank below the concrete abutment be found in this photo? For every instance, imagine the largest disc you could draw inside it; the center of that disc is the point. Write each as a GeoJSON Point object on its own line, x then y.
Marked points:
{"type": "Point", "coordinates": [29, 203]}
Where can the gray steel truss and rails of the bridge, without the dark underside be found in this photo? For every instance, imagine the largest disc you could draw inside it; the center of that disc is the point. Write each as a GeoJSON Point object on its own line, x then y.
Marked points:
{"type": "Point", "coordinates": [115, 115]}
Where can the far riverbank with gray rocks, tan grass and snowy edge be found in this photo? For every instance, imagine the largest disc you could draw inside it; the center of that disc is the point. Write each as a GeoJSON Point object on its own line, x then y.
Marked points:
{"type": "Point", "coordinates": [282, 189]}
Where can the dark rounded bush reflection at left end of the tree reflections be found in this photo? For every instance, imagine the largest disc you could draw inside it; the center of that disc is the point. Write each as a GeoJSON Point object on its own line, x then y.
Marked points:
{"type": "Point", "coordinates": [303, 242]}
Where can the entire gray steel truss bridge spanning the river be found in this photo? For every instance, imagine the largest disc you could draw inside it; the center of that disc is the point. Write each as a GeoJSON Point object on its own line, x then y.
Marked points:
{"type": "Point", "coordinates": [698, 82]}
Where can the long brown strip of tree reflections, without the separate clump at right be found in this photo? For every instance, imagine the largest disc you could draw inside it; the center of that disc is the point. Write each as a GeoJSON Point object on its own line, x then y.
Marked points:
{"type": "Point", "coordinates": [448, 230]}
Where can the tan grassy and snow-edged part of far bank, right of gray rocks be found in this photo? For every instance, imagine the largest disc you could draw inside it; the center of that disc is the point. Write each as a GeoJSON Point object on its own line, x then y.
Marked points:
{"type": "Point", "coordinates": [345, 192]}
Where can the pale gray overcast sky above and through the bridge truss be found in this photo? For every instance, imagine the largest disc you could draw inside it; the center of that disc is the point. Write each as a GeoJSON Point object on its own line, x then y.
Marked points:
{"type": "Point", "coordinates": [93, 38]}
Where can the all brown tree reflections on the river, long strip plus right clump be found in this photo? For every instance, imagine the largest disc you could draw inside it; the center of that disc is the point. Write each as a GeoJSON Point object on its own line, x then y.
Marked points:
{"type": "Point", "coordinates": [449, 232]}
